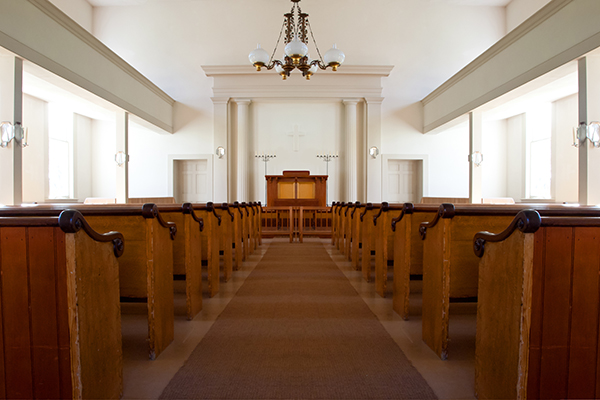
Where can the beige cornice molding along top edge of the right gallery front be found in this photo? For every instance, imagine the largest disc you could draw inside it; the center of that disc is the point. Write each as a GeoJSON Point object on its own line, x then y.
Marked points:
{"type": "Point", "coordinates": [513, 36]}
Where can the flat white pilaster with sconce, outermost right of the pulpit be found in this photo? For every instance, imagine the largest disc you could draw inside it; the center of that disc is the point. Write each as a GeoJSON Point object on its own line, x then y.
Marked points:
{"type": "Point", "coordinates": [374, 170]}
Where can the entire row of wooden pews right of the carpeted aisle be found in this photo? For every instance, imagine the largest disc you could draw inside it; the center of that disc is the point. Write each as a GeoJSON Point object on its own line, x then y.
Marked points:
{"type": "Point", "coordinates": [534, 271]}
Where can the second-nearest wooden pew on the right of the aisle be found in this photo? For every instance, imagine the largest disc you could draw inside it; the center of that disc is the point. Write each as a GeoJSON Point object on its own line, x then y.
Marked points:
{"type": "Point", "coordinates": [450, 270]}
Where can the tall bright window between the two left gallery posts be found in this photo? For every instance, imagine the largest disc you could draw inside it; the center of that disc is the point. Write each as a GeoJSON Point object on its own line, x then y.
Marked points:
{"type": "Point", "coordinates": [60, 153]}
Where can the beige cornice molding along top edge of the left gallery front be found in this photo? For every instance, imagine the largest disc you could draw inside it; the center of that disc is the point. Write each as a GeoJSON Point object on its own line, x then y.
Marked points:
{"type": "Point", "coordinates": [61, 18]}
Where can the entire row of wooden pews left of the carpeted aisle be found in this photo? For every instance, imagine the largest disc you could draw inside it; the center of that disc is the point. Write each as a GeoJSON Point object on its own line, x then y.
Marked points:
{"type": "Point", "coordinates": [62, 284]}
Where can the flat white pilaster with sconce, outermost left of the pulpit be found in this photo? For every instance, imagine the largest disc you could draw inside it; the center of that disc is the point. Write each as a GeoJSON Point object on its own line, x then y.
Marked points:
{"type": "Point", "coordinates": [221, 138]}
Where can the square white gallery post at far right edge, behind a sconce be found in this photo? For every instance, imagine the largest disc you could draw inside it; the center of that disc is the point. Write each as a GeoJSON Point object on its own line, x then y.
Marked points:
{"type": "Point", "coordinates": [589, 156]}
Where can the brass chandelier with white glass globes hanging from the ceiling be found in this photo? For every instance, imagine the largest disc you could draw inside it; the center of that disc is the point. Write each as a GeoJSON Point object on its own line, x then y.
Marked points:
{"type": "Point", "coordinates": [297, 27]}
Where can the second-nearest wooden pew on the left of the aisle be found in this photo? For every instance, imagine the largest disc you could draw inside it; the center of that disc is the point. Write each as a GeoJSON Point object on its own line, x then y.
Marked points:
{"type": "Point", "coordinates": [145, 270]}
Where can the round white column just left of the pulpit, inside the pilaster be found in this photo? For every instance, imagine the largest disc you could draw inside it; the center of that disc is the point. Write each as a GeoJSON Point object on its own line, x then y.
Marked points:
{"type": "Point", "coordinates": [243, 131]}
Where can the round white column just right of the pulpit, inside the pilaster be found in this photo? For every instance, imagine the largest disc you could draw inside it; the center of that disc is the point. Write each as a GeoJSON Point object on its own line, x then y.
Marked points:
{"type": "Point", "coordinates": [351, 149]}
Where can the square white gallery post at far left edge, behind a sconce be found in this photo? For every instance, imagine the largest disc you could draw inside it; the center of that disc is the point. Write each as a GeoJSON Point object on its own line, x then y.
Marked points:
{"type": "Point", "coordinates": [11, 102]}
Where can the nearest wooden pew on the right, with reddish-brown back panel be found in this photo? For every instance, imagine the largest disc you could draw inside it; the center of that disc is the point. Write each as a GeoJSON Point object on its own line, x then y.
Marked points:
{"type": "Point", "coordinates": [537, 315]}
